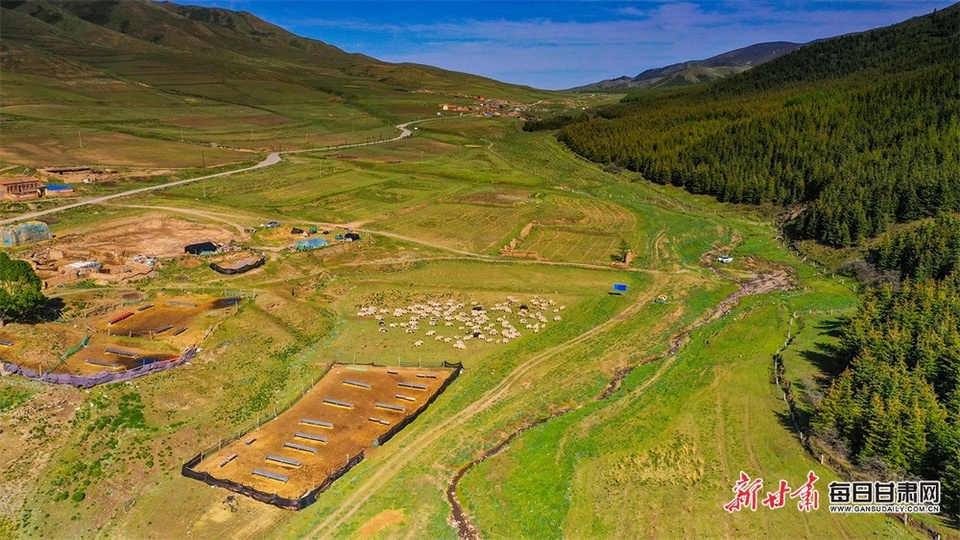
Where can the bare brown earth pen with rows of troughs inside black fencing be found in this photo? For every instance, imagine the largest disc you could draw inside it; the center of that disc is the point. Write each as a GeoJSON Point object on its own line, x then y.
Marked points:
{"type": "Point", "coordinates": [353, 428]}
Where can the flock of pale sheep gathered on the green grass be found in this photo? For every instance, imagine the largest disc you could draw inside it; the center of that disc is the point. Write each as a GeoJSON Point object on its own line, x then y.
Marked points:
{"type": "Point", "coordinates": [472, 323]}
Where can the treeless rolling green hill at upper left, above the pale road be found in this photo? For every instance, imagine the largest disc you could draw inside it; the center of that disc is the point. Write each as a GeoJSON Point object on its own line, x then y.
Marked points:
{"type": "Point", "coordinates": [124, 76]}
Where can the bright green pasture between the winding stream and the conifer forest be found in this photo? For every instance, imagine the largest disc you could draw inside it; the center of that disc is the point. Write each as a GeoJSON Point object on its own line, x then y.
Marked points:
{"type": "Point", "coordinates": [628, 466]}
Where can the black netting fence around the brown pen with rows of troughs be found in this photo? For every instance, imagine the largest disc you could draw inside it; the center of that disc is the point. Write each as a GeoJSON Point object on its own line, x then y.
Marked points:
{"type": "Point", "coordinates": [309, 497]}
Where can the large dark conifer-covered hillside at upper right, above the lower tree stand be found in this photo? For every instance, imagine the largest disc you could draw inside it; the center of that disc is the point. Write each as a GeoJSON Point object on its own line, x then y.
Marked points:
{"type": "Point", "coordinates": [855, 132]}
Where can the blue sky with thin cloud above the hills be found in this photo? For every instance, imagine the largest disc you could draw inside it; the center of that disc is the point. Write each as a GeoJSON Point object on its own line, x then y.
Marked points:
{"type": "Point", "coordinates": [556, 45]}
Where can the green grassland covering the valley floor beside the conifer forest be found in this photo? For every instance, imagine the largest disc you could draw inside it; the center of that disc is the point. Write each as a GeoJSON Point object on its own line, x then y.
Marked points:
{"type": "Point", "coordinates": [434, 212]}
